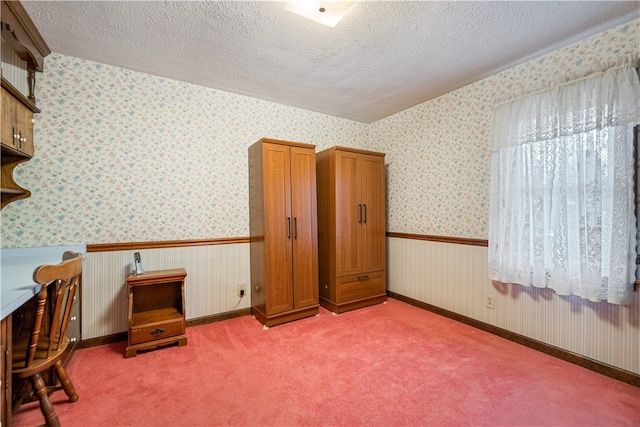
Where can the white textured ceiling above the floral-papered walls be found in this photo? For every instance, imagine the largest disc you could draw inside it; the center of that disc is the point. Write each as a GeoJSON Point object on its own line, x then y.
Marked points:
{"type": "Point", "coordinates": [383, 57]}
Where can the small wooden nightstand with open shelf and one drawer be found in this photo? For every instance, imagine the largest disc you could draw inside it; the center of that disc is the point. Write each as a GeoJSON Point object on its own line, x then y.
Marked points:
{"type": "Point", "coordinates": [156, 310]}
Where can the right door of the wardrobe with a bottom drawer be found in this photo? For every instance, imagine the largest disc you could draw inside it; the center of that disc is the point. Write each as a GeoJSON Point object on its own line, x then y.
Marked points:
{"type": "Point", "coordinates": [373, 199]}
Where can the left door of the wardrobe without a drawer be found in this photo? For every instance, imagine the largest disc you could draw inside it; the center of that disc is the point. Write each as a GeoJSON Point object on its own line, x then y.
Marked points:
{"type": "Point", "coordinates": [277, 228]}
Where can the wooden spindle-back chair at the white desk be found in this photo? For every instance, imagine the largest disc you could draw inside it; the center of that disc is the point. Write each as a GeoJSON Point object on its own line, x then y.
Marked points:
{"type": "Point", "coordinates": [47, 342]}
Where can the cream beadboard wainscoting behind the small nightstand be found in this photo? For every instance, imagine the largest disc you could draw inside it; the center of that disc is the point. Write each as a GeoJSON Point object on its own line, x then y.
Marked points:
{"type": "Point", "coordinates": [213, 272]}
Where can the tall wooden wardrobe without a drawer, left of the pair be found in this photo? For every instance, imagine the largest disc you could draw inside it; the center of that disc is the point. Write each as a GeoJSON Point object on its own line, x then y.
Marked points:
{"type": "Point", "coordinates": [284, 233]}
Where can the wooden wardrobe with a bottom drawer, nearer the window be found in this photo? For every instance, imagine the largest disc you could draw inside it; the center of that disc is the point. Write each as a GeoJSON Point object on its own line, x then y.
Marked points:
{"type": "Point", "coordinates": [351, 228]}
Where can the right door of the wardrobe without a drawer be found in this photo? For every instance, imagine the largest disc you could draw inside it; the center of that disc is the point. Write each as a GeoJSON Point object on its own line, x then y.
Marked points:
{"type": "Point", "coordinates": [305, 231]}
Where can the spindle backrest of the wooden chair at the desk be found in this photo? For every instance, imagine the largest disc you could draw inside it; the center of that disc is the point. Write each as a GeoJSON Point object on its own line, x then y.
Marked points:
{"type": "Point", "coordinates": [60, 282]}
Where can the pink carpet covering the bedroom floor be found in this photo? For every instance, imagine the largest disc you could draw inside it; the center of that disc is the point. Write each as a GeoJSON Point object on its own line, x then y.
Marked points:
{"type": "Point", "coordinates": [391, 364]}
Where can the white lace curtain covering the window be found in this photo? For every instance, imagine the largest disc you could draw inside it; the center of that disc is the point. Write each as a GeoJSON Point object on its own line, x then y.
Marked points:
{"type": "Point", "coordinates": [562, 198]}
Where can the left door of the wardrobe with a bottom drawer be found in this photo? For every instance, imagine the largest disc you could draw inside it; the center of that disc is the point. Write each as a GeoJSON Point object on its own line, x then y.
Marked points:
{"type": "Point", "coordinates": [348, 213]}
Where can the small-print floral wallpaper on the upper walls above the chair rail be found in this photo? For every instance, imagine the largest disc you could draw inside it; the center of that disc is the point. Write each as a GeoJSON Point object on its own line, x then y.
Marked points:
{"type": "Point", "coordinates": [123, 156]}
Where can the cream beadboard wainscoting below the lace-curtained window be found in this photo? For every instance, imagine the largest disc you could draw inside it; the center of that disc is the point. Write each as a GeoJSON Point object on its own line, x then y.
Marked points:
{"type": "Point", "coordinates": [453, 277]}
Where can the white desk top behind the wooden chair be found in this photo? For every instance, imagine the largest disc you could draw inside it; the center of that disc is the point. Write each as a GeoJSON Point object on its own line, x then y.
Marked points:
{"type": "Point", "coordinates": [17, 267]}
